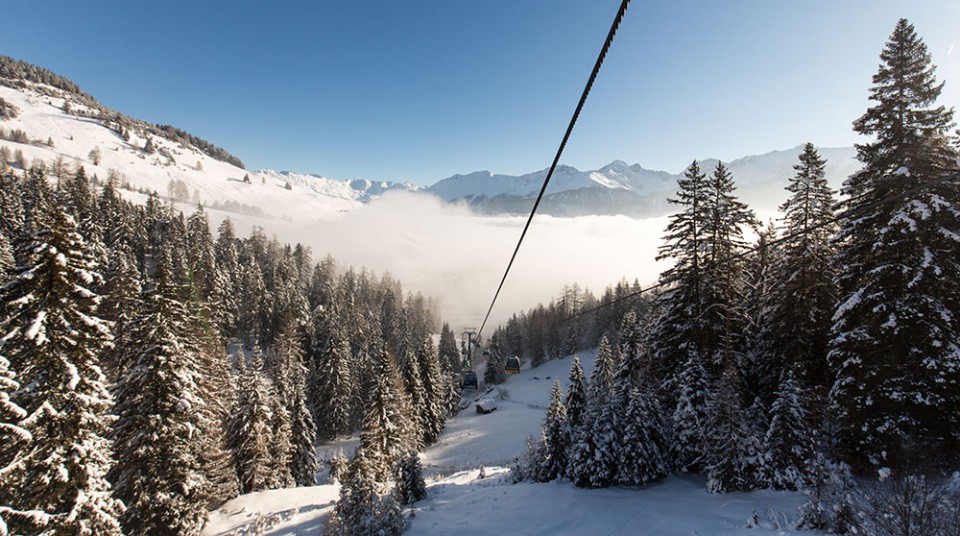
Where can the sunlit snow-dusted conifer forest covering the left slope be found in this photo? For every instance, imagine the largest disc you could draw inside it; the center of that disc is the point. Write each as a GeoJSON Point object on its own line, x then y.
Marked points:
{"type": "Point", "coordinates": [121, 410]}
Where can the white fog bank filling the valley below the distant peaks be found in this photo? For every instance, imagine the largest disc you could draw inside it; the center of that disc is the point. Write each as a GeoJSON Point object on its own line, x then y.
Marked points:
{"type": "Point", "coordinates": [458, 257]}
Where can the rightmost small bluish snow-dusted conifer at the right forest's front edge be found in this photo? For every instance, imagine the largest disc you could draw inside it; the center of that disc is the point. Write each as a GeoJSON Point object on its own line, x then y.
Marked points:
{"type": "Point", "coordinates": [789, 447]}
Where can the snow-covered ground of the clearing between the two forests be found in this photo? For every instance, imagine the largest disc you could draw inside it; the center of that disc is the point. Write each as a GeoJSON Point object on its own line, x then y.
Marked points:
{"type": "Point", "coordinates": [459, 502]}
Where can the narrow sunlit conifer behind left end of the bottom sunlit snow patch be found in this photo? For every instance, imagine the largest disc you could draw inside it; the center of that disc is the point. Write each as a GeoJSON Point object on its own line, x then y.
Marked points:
{"type": "Point", "coordinates": [251, 431]}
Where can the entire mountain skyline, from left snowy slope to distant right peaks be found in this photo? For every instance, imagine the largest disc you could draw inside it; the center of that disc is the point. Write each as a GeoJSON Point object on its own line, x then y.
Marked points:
{"type": "Point", "coordinates": [46, 117]}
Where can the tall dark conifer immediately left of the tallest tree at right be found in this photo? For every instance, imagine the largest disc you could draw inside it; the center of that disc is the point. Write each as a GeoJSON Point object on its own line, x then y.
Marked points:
{"type": "Point", "coordinates": [802, 295]}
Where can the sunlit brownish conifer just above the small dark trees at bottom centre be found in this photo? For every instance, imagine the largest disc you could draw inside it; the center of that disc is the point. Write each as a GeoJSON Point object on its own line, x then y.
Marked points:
{"type": "Point", "coordinates": [387, 427]}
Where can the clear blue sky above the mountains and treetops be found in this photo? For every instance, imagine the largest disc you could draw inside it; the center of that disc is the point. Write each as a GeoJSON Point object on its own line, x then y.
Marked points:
{"type": "Point", "coordinates": [420, 90]}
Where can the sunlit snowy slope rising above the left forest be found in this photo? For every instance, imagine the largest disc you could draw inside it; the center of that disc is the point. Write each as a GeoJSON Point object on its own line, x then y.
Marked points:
{"type": "Point", "coordinates": [172, 169]}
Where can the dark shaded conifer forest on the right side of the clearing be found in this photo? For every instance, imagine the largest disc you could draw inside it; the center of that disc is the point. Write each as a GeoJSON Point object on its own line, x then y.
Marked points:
{"type": "Point", "coordinates": [832, 349]}
